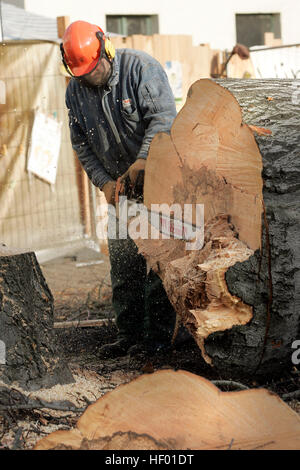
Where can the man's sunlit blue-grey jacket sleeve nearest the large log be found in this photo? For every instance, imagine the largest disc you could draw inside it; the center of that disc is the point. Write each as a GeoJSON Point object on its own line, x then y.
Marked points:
{"type": "Point", "coordinates": [157, 104]}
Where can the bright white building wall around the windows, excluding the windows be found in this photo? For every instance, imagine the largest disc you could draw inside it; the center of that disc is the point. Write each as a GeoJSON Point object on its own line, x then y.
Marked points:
{"type": "Point", "coordinates": [211, 21]}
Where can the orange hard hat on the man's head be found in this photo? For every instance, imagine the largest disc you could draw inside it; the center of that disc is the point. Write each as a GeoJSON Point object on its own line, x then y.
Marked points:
{"type": "Point", "coordinates": [82, 47]}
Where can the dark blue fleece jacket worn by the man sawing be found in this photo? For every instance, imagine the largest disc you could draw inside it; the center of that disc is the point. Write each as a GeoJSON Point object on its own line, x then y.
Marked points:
{"type": "Point", "coordinates": [111, 127]}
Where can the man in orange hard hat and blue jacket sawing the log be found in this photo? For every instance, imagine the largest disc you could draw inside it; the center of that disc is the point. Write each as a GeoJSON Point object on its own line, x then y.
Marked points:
{"type": "Point", "coordinates": [117, 102]}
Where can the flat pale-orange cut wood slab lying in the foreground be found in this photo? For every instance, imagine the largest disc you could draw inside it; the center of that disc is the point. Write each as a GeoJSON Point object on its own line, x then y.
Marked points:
{"type": "Point", "coordinates": [179, 410]}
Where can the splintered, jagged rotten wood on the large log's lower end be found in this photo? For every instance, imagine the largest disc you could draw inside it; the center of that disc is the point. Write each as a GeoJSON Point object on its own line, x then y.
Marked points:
{"type": "Point", "coordinates": [202, 294]}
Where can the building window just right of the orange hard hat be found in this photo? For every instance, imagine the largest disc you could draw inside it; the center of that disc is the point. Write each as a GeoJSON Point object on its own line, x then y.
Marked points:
{"type": "Point", "coordinates": [132, 24]}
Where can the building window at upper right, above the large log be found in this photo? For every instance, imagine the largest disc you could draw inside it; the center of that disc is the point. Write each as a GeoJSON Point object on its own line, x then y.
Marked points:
{"type": "Point", "coordinates": [251, 28]}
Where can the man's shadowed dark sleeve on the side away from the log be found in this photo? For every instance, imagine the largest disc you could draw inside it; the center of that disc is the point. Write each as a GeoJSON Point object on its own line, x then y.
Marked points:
{"type": "Point", "coordinates": [88, 159]}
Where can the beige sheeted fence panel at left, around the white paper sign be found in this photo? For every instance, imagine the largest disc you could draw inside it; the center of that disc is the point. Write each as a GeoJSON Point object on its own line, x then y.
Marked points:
{"type": "Point", "coordinates": [34, 214]}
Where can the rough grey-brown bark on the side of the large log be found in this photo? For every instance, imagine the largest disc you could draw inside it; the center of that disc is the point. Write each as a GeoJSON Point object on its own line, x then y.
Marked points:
{"type": "Point", "coordinates": [275, 295]}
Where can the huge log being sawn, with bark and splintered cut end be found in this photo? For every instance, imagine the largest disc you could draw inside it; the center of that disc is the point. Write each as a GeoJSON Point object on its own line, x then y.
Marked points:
{"type": "Point", "coordinates": [239, 295]}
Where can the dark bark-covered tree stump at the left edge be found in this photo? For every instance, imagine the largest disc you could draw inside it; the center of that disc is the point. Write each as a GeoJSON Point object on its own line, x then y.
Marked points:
{"type": "Point", "coordinates": [30, 356]}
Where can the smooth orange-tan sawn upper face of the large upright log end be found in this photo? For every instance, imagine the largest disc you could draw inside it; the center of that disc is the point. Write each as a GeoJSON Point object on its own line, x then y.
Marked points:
{"type": "Point", "coordinates": [210, 158]}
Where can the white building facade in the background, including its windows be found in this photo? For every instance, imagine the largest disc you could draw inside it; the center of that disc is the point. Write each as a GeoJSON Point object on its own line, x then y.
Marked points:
{"type": "Point", "coordinates": [217, 22]}
